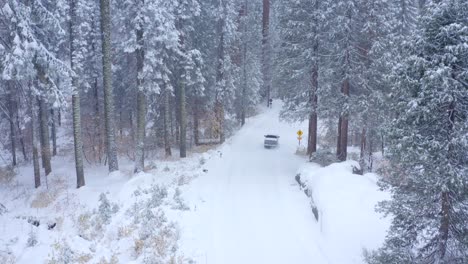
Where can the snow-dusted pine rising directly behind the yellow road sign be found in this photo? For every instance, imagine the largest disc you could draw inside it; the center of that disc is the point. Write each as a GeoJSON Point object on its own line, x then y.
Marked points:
{"type": "Point", "coordinates": [302, 33]}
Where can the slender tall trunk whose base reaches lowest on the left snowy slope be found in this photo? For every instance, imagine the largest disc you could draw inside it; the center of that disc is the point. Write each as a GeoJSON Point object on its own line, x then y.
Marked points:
{"type": "Point", "coordinates": [76, 108]}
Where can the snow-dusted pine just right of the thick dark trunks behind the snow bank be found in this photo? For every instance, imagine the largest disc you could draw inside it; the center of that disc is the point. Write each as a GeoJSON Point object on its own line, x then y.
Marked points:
{"type": "Point", "coordinates": [375, 23]}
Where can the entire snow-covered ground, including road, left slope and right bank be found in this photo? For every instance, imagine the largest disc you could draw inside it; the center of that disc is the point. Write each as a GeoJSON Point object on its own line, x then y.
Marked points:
{"type": "Point", "coordinates": [238, 203]}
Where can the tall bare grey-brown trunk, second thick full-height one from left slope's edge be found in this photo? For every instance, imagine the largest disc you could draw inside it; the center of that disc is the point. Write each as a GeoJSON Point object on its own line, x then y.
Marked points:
{"type": "Point", "coordinates": [107, 80]}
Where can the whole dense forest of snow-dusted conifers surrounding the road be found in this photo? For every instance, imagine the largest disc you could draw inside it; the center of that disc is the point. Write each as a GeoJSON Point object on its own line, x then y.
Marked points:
{"type": "Point", "coordinates": [141, 79]}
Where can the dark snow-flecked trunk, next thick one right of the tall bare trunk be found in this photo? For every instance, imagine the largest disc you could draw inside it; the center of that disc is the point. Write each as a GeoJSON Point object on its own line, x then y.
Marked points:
{"type": "Point", "coordinates": [141, 105]}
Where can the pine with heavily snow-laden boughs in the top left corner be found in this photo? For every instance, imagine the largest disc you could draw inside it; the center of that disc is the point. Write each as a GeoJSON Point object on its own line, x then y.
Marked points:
{"type": "Point", "coordinates": [31, 57]}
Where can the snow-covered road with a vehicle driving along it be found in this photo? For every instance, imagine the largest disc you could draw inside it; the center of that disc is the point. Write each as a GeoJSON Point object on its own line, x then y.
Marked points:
{"type": "Point", "coordinates": [249, 208]}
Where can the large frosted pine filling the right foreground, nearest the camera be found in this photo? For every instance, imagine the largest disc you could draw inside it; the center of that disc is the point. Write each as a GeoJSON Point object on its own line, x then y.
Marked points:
{"type": "Point", "coordinates": [428, 144]}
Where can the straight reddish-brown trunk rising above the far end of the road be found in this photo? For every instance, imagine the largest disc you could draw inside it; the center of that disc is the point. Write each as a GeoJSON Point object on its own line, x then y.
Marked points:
{"type": "Point", "coordinates": [266, 50]}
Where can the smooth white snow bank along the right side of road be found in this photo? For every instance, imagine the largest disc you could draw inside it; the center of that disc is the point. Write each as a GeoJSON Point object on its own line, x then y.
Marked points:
{"type": "Point", "coordinates": [346, 203]}
